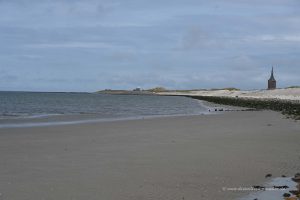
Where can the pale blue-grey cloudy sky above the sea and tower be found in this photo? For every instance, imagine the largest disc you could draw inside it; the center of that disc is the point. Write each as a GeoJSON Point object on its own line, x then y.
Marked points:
{"type": "Point", "coordinates": [90, 45]}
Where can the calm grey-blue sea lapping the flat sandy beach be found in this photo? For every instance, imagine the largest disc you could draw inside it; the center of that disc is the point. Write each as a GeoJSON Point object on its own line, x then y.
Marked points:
{"type": "Point", "coordinates": [18, 109]}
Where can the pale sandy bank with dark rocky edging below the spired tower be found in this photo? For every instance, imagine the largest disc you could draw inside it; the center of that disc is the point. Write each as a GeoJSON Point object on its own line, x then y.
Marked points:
{"type": "Point", "coordinates": [286, 101]}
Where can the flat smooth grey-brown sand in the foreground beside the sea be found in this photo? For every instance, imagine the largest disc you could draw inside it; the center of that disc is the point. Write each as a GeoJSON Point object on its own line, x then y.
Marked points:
{"type": "Point", "coordinates": [183, 157]}
